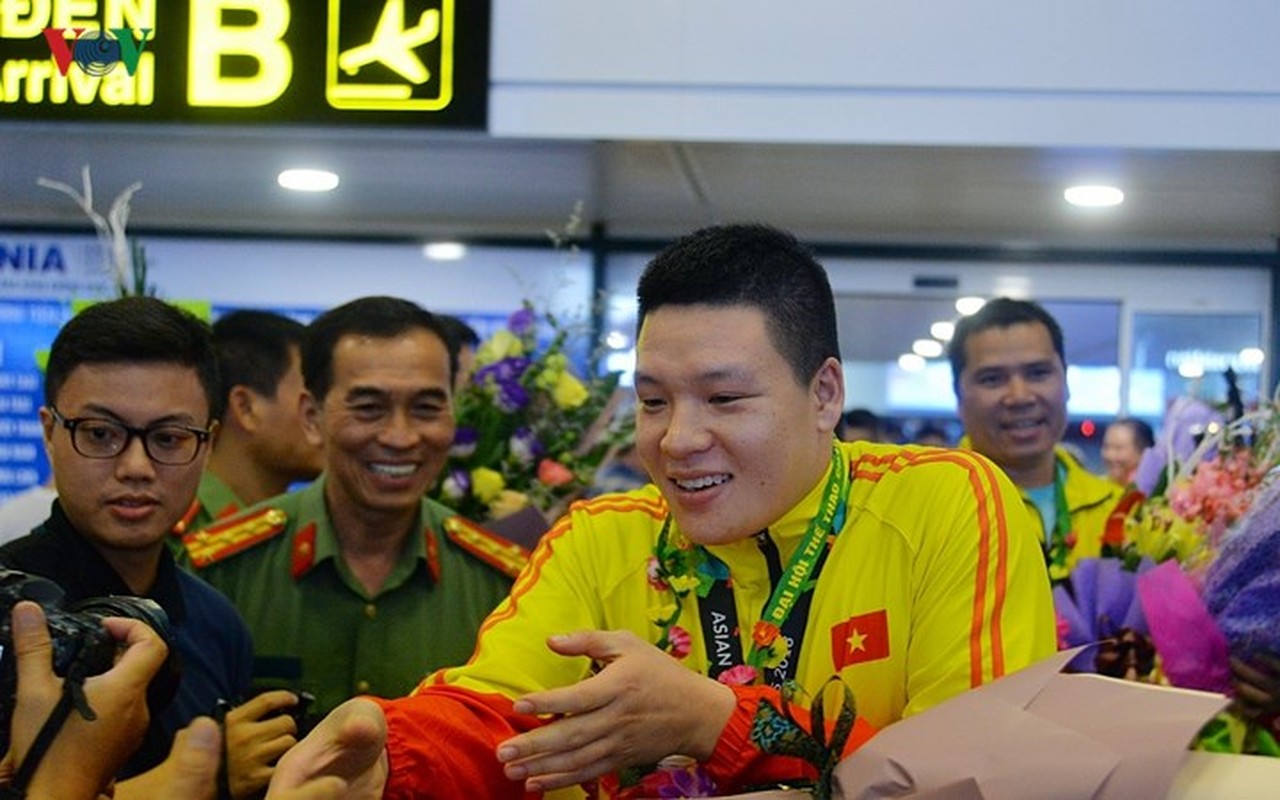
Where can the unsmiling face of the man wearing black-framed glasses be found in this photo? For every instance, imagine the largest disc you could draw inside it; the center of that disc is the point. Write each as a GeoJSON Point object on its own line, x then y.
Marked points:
{"type": "Point", "coordinates": [127, 504]}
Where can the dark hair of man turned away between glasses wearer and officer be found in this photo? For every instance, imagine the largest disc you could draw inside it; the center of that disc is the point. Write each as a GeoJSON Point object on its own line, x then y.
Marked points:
{"type": "Point", "coordinates": [255, 349]}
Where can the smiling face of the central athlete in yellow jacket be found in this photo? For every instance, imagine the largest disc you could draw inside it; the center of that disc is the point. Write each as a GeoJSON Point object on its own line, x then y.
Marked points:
{"type": "Point", "coordinates": [724, 429]}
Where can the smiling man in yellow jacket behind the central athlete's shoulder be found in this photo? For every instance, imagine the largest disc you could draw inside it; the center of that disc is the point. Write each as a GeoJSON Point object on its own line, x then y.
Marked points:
{"type": "Point", "coordinates": [1009, 374]}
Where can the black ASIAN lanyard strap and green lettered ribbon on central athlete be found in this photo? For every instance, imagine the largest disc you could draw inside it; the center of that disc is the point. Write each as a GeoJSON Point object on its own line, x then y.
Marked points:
{"type": "Point", "coordinates": [788, 607]}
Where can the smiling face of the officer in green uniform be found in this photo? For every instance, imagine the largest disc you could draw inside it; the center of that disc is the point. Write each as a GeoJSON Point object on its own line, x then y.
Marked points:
{"type": "Point", "coordinates": [387, 422]}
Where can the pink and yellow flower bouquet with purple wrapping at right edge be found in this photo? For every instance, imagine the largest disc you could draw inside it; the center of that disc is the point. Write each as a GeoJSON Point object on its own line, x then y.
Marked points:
{"type": "Point", "coordinates": [1213, 524]}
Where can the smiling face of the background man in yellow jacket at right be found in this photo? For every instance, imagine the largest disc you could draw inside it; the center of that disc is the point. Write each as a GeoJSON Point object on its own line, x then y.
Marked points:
{"type": "Point", "coordinates": [1013, 400]}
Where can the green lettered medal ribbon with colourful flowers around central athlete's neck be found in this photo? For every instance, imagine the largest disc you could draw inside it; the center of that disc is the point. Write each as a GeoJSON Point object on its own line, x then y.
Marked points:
{"type": "Point", "coordinates": [694, 569]}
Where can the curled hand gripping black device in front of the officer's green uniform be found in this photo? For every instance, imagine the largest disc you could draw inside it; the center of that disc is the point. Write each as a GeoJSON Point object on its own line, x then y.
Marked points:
{"type": "Point", "coordinates": [257, 740]}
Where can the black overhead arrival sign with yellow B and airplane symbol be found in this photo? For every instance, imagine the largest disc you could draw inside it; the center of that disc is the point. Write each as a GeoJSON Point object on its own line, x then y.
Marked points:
{"type": "Point", "coordinates": [403, 62]}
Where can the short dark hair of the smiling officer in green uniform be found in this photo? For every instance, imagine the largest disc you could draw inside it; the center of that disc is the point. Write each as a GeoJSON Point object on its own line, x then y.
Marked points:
{"type": "Point", "coordinates": [377, 317]}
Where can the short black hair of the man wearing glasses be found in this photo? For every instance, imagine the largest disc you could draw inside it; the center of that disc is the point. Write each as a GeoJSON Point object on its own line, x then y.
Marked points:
{"type": "Point", "coordinates": [135, 330]}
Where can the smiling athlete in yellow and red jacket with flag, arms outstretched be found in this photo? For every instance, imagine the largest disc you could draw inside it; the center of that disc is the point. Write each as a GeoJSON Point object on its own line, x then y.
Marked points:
{"type": "Point", "coordinates": [598, 662]}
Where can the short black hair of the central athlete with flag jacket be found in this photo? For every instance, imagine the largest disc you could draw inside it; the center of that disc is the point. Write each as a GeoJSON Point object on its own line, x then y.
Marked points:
{"type": "Point", "coordinates": [758, 267]}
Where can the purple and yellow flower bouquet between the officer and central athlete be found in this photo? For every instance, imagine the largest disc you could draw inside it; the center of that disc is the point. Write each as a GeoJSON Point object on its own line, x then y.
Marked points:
{"type": "Point", "coordinates": [531, 433]}
